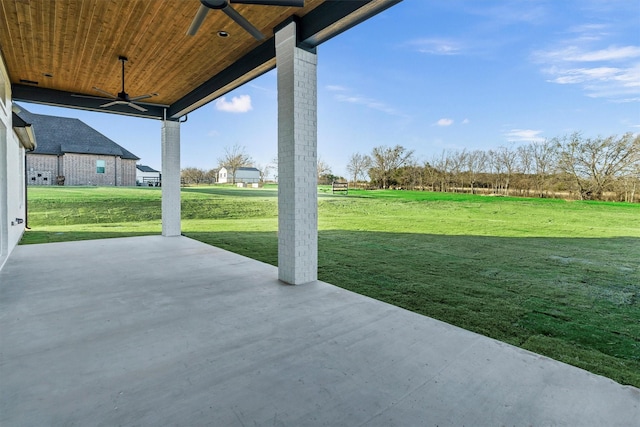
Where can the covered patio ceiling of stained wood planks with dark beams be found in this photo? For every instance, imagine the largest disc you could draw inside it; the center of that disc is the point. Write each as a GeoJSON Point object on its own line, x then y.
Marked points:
{"type": "Point", "coordinates": [57, 52]}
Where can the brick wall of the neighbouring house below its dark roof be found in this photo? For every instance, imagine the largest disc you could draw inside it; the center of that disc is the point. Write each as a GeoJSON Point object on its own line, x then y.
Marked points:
{"type": "Point", "coordinates": [80, 169]}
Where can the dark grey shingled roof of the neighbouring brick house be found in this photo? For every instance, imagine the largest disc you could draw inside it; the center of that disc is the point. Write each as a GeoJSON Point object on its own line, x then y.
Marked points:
{"type": "Point", "coordinates": [60, 135]}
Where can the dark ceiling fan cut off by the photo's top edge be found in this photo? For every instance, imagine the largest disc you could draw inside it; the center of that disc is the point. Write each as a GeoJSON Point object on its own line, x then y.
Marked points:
{"type": "Point", "coordinates": [225, 6]}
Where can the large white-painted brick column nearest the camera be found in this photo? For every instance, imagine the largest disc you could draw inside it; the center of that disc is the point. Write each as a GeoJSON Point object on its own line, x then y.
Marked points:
{"type": "Point", "coordinates": [297, 160]}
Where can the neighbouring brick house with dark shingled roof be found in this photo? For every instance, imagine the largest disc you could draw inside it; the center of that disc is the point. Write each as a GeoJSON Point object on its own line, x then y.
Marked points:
{"type": "Point", "coordinates": [70, 152]}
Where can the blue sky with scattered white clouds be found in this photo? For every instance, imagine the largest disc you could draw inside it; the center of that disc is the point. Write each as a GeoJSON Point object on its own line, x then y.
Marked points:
{"type": "Point", "coordinates": [432, 75]}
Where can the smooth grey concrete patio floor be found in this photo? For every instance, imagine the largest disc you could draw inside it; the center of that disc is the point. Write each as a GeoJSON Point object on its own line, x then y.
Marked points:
{"type": "Point", "coordinates": [169, 331]}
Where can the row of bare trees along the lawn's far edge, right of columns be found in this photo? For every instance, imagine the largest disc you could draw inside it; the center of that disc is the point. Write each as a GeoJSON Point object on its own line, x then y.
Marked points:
{"type": "Point", "coordinates": [573, 166]}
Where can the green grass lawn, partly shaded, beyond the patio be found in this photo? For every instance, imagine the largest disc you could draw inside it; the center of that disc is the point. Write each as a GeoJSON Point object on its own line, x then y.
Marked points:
{"type": "Point", "coordinates": [555, 277]}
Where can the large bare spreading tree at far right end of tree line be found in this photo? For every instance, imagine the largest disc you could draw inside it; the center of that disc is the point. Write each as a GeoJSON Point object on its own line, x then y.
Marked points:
{"type": "Point", "coordinates": [595, 163]}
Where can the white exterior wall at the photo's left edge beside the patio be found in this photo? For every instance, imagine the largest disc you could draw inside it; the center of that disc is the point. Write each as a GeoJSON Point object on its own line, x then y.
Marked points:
{"type": "Point", "coordinates": [12, 194]}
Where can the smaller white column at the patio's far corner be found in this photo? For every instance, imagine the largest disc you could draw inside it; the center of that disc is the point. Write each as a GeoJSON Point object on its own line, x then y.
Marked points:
{"type": "Point", "coordinates": [170, 178]}
